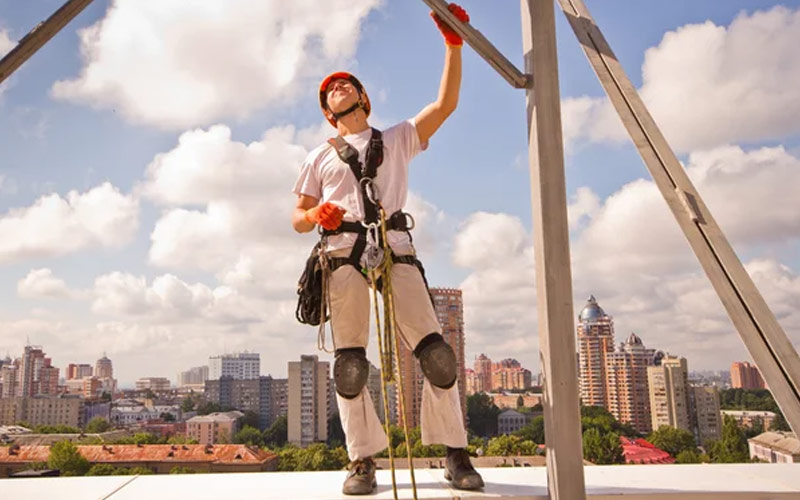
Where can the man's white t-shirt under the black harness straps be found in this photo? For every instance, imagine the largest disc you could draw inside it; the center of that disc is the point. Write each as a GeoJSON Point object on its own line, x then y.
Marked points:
{"type": "Point", "coordinates": [326, 177]}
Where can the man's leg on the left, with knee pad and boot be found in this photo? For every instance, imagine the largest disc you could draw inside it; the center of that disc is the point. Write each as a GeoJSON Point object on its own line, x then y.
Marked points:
{"type": "Point", "coordinates": [350, 326]}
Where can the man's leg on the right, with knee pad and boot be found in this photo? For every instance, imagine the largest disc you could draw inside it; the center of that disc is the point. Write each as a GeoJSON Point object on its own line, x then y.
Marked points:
{"type": "Point", "coordinates": [441, 417]}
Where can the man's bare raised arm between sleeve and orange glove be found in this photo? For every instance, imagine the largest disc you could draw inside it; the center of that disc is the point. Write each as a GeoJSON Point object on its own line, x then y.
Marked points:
{"type": "Point", "coordinates": [434, 114]}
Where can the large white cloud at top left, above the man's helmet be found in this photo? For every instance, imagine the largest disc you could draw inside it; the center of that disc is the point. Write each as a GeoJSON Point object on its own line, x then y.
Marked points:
{"type": "Point", "coordinates": [176, 64]}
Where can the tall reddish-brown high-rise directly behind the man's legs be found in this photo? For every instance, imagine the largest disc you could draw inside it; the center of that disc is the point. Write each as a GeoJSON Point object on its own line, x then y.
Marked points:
{"type": "Point", "coordinates": [449, 310]}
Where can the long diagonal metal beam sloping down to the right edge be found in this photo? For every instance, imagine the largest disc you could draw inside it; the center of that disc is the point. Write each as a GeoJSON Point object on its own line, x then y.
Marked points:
{"type": "Point", "coordinates": [768, 344]}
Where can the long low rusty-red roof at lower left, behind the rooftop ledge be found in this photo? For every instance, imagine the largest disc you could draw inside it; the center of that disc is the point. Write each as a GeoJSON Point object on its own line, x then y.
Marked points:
{"type": "Point", "coordinates": [129, 453]}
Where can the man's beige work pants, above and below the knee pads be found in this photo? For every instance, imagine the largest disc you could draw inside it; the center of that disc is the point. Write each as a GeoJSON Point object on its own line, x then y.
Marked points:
{"type": "Point", "coordinates": [441, 418]}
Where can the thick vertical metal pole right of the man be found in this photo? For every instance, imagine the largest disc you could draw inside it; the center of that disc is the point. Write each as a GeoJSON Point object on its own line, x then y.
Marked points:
{"type": "Point", "coordinates": [551, 240]}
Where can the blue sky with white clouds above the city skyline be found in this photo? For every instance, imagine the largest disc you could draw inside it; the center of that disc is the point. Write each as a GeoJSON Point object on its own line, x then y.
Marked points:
{"type": "Point", "coordinates": [148, 152]}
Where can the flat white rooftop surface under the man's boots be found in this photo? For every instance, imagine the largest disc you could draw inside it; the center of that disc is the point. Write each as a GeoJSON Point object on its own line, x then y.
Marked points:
{"type": "Point", "coordinates": [651, 482]}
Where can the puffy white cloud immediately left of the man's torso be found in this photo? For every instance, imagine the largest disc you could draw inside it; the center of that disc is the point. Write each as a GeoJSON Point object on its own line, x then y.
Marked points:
{"type": "Point", "coordinates": [227, 207]}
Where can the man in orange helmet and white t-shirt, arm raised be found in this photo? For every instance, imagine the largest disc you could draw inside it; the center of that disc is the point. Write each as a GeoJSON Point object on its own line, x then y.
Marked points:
{"type": "Point", "coordinates": [330, 195]}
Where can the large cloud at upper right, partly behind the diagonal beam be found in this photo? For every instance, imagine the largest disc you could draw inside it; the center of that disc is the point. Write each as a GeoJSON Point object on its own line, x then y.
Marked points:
{"type": "Point", "coordinates": [709, 85]}
